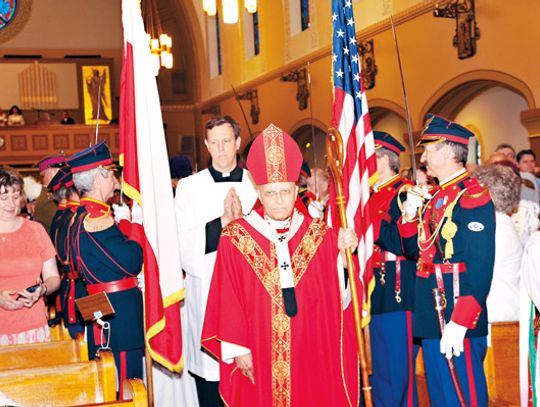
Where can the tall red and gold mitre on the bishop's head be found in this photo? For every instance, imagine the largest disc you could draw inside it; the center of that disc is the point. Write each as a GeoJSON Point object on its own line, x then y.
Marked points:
{"type": "Point", "coordinates": [274, 157]}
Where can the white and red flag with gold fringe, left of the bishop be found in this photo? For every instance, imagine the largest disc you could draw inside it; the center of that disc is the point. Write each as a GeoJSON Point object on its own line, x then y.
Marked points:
{"type": "Point", "coordinates": [147, 180]}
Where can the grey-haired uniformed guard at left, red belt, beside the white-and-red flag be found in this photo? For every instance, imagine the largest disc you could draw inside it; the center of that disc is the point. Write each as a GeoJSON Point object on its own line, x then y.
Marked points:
{"type": "Point", "coordinates": [108, 261]}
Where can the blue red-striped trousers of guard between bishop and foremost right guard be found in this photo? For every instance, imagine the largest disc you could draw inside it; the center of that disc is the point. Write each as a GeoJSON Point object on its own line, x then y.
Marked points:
{"type": "Point", "coordinates": [394, 355]}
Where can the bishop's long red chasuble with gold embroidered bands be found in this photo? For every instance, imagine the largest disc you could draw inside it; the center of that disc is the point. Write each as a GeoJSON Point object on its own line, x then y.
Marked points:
{"type": "Point", "coordinates": [307, 360]}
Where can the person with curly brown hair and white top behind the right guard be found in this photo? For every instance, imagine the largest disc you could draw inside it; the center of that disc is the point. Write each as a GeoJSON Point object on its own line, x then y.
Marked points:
{"type": "Point", "coordinates": [504, 186]}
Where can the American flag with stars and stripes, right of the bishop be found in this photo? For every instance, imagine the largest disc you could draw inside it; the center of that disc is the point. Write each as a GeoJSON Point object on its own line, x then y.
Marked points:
{"type": "Point", "coordinates": [350, 115]}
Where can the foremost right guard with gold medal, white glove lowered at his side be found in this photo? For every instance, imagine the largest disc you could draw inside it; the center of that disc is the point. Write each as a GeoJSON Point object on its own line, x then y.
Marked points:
{"type": "Point", "coordinates": [455, 239]}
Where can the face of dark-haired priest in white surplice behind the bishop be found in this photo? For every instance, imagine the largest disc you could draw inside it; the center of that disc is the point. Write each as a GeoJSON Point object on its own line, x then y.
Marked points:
{"type": "Point", "coordinates": [222, 146]}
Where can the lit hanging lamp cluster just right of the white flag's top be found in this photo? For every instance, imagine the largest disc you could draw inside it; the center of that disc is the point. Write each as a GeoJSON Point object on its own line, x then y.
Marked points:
{"type": "Point", "coordinates": [160, 43]}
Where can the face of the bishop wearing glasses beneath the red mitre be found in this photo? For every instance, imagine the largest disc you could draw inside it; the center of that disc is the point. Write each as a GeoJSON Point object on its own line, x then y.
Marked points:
{"type": "Point", "coordinates": [278, 199]}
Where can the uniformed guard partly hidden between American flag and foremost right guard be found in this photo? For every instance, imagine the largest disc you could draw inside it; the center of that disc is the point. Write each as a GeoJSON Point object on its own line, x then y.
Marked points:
{"type": "Point", "coordinates": [392, 300]}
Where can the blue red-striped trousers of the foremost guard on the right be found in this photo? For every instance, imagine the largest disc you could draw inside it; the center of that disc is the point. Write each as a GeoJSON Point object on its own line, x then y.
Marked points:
{"type": "Point", "coordinates": [470, 371]}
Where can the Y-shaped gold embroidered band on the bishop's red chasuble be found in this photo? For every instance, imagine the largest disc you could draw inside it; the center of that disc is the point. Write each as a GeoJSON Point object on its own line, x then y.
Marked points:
{"type": "Point", "coordinates": [267, 271]}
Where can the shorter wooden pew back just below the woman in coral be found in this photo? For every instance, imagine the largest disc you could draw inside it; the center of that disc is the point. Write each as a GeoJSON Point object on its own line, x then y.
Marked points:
{"type": "Point", "coordinates": [43, 354]}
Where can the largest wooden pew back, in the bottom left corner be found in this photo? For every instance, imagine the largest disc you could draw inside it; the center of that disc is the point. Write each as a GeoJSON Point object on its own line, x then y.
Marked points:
{"type": "Point", "coordinates": [69, 384]}
